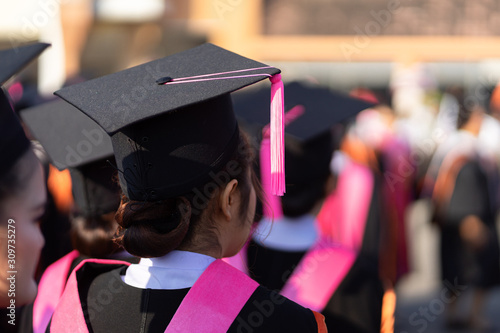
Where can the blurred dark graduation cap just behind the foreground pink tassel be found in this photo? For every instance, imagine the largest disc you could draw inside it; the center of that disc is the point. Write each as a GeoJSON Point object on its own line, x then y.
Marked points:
{"type": "Point", "coordinates": [309, 141]}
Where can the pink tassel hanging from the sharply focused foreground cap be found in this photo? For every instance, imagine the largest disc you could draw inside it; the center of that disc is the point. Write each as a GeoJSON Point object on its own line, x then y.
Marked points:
{"type": "Point", "coordinates": [277, 136]}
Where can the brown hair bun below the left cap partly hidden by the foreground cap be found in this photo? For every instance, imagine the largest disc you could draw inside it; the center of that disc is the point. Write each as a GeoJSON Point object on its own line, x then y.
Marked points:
{"type": "Point", "coordinates": [93, 236]}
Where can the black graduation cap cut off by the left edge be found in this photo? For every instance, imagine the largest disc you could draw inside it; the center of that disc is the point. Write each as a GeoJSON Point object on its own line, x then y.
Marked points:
{"type": "Point", "coordinates": [13, 141]}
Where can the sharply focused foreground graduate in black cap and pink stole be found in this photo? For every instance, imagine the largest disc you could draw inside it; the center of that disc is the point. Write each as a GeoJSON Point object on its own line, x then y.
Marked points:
{"type": "Point", "coordinates": [188, 201]}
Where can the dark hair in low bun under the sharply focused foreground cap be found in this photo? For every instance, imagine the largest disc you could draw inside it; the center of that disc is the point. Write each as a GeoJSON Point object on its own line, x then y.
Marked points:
{"type": "Point", "coordinates": [153, 229]}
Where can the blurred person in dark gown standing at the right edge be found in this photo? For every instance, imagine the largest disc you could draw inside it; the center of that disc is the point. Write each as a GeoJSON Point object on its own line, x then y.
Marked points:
{"type": "Point", "coordinates": [465, 199]}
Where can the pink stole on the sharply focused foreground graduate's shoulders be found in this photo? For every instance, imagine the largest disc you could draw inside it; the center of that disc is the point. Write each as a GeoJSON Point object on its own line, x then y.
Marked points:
{"type": "Point", "coordinates": [211, 305]}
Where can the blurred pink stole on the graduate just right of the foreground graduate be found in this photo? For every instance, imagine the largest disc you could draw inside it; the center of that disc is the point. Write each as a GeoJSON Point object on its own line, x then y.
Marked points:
{"type": "Point", "coordinates": [323, 268]}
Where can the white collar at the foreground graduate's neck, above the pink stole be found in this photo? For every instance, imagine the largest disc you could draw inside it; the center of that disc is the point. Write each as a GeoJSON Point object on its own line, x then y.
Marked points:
{"type": "Point", "coordinates": [175, 270]}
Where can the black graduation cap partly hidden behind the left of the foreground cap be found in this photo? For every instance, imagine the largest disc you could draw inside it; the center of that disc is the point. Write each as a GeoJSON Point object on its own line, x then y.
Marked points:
{"type": "Point", "coordinates": [73, 140]}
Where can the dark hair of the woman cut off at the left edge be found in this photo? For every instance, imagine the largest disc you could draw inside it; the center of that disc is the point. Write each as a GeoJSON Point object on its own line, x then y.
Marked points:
{"type": "Point", "coordinates": [17, 178]}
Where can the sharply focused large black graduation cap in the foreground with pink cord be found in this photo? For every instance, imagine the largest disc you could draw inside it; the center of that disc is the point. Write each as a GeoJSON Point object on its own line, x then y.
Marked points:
{"type": "Point", "coordinates": [171, 120]}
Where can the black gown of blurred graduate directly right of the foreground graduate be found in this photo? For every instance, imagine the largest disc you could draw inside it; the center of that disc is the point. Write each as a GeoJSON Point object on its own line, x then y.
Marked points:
{"type": "Point", "coordinates": [356, 304]}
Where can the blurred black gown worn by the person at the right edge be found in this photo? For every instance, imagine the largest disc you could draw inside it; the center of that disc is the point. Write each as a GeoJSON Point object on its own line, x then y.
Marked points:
{"type": "Point", "coordinates": [471, 196]}
